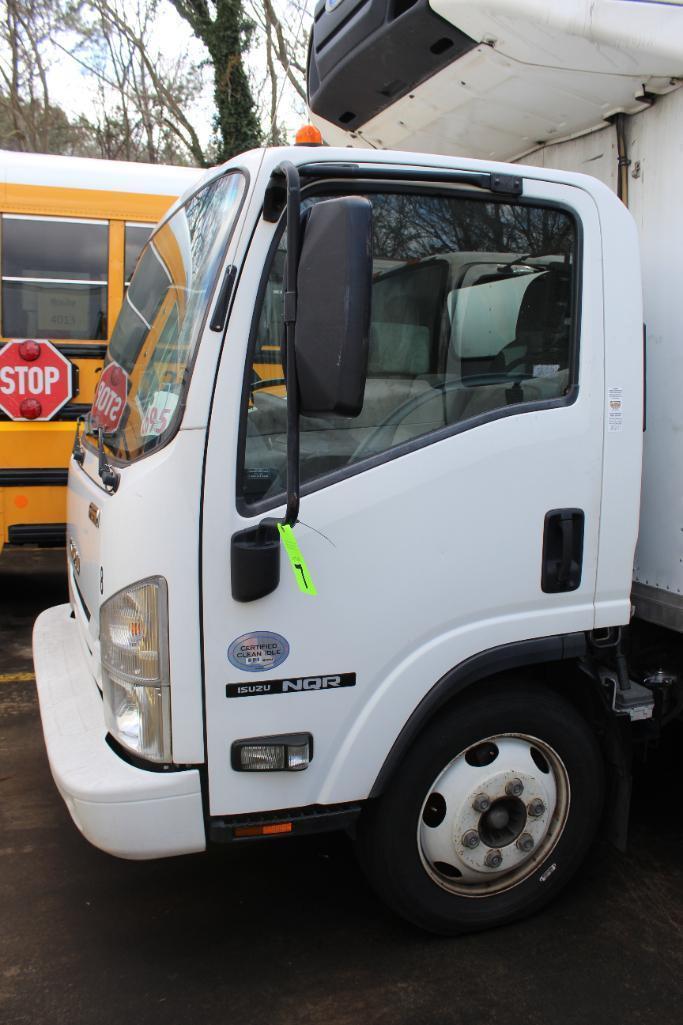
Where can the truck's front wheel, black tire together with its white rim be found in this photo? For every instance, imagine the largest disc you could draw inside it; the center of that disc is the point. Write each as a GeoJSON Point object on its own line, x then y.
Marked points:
{"type": "Point", "coordinates": [412, 841]}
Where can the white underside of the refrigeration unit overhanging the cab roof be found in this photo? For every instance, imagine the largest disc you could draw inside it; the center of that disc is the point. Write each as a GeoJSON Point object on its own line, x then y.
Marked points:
{"type": "Point", "coordinates": [542, 72]}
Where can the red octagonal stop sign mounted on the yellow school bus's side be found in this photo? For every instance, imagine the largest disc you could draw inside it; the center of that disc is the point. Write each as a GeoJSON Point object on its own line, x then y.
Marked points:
{"type": "Point", "coordinates": [36, 381]}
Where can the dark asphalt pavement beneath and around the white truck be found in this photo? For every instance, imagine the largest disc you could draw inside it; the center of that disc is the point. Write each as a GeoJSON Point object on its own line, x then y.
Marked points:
{"type": "Point", "coordinates": [288, 932]}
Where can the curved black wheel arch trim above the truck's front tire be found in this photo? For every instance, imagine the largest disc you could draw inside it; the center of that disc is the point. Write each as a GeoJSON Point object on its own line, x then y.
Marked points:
{"type": "Point", "coordinates": [481, 667]}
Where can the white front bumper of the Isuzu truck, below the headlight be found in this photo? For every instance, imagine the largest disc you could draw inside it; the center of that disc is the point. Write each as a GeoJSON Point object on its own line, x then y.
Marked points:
{"type": "Point", "coordinates": [127, 811]}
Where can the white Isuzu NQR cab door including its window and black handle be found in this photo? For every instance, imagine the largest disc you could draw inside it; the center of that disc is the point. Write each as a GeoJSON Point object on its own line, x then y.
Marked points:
{"type": "Point", "coordinates": [458, 513]}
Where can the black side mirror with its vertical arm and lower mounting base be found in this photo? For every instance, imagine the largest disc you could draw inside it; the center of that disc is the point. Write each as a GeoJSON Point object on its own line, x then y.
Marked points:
{"type": "Point", "coordinates": [328, 320]}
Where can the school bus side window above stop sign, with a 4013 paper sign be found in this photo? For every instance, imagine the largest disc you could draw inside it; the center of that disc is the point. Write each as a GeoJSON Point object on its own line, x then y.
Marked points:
{"type": "Point", "coordinates": [54, 277]}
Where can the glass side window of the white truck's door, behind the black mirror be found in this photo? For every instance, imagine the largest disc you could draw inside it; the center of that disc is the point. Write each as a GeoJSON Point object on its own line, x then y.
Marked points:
{"type": "Point", "coordinates": [472, 314]}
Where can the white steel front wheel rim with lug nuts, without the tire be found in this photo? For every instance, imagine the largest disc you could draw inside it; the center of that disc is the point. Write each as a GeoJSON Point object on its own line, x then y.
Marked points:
{"type": "Point", "coordinates": [494, 815]}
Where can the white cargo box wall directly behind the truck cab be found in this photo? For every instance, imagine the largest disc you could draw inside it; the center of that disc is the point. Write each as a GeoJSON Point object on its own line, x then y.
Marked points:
{"type": "Point", "coordinates": [656, 152]}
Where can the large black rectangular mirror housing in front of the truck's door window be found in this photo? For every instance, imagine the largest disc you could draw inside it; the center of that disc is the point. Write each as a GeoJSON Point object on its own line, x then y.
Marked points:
{"type": "Point", "coordinates": [335, 290]}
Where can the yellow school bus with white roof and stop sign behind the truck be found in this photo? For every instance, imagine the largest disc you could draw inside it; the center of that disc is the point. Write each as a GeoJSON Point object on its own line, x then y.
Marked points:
{"type": "Point", "coordinates": [71, 230]}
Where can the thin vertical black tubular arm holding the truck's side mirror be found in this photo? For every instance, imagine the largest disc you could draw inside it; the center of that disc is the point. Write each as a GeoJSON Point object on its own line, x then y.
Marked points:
{"type": "Point", "coordinates": [294, 234]}
